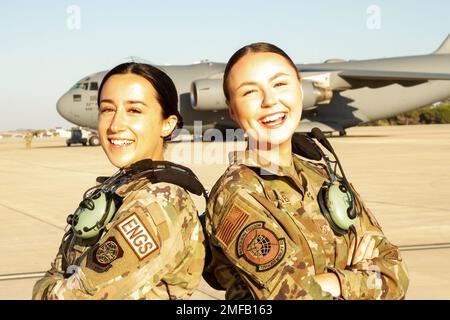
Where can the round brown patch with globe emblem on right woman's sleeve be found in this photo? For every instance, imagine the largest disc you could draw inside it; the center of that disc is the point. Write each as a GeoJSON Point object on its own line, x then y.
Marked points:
{"type": "Point", "coordinates": [260, 246]}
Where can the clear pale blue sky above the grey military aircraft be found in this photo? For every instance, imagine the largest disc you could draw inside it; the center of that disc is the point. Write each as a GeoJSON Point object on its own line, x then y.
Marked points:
{"type": "Point", "coordinates": [42, 55]}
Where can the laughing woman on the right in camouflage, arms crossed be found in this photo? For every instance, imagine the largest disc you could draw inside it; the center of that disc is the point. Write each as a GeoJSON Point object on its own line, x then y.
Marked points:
{"type": "Point", "coordinates": [268, 237]}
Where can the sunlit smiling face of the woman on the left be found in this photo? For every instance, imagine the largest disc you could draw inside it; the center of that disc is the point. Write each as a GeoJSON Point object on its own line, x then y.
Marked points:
{"type": "Point", "coordinates": [130, 124]}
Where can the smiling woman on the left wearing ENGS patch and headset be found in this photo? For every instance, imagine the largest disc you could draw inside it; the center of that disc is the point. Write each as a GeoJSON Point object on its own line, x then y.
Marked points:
{"type": "Point", "coordinates": [147, 241]}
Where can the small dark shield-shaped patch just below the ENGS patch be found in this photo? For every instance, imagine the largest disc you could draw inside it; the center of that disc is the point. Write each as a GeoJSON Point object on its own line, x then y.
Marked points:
{"type": "Point", "coordinates": [102, 256]}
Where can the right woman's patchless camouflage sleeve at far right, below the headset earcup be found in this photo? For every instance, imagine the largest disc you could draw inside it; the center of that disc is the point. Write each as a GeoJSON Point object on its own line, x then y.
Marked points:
{"type": "Point", "coordinates": [385, 277]}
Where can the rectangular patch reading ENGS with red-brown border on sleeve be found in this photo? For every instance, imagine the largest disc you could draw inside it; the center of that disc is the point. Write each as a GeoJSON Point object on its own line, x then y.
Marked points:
{"type": "Point", "coordinates": [137, 236]}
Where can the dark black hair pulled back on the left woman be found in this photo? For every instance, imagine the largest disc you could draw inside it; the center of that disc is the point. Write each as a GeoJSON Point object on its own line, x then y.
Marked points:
{"type": "Point", "coordinates": [165, 88]}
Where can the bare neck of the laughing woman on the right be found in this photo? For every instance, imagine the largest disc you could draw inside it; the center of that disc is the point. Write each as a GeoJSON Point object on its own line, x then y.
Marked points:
{"type": "Point", "coordinates": [280, 154]}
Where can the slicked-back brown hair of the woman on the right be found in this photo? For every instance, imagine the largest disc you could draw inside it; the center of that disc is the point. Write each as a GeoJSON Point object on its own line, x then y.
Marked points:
{"type": "Point", "coordinates": [252, 48]}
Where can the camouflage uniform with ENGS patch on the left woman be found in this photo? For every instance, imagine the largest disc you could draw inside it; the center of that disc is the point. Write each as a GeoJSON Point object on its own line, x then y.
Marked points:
{"type": "Point", "coordinates": [153, 249]}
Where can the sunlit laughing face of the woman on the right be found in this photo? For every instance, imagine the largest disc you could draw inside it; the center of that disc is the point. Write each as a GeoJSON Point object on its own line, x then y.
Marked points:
{"type": "Point", "coordinates": [265, 97]}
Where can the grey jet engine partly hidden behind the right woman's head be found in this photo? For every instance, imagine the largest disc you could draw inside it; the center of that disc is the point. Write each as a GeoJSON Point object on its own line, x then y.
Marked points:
{"type": "Point", "coordinates": [207, 95]}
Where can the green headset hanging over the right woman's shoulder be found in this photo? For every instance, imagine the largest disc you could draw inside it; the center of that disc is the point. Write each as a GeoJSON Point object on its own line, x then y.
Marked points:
{"type": "Point", "coordinates": [336, 198]}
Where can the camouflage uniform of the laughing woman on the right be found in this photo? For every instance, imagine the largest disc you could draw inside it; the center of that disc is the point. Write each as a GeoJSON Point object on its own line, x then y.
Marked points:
{"type": "Point", "coordinates": [268, 238]}
